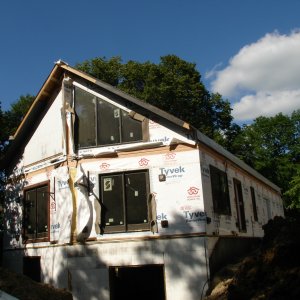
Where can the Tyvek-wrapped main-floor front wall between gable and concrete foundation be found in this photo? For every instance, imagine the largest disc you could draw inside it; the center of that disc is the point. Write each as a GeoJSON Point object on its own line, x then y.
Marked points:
{"type": "Point", "coordinates": [178, 200]}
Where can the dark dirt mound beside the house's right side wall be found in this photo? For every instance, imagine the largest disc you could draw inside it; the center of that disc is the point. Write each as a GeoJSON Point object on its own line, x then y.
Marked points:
{"type": "Point", "coordinates": [270, 272]}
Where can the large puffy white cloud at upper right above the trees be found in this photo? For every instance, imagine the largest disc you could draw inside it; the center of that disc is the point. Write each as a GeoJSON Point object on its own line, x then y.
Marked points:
{"type": "Point", "coordinates": [264, 76]}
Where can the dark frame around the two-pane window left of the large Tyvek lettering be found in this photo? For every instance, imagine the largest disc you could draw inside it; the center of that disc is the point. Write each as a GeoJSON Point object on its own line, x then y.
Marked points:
{"type": "Point", "coordinates": [126, 227]}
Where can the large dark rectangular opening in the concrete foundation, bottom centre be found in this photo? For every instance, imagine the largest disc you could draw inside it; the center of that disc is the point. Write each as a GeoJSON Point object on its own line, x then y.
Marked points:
{"type": "Point", "coordinates": [137, 282]}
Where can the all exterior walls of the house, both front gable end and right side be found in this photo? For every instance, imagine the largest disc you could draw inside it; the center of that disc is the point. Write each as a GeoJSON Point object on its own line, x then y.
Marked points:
{"type": "Point", "coordinates": [78, 256]}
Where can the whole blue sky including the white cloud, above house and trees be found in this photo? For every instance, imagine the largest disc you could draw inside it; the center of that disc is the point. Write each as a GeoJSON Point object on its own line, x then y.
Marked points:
{"type": "Point", "coordinates": [249, 51]}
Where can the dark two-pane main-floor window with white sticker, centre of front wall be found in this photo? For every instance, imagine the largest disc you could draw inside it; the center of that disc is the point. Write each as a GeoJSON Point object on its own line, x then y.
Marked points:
{"type": "Point", "coordinates": [125, 201]}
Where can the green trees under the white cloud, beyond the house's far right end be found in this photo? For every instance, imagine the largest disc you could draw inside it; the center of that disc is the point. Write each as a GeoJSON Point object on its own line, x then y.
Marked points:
{"type": "Point", "coordinates": [271, 145]}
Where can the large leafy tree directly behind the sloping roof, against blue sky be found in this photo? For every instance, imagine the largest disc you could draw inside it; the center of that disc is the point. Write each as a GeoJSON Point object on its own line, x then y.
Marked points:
{"type": "Point", "coordinates": [173, 85]}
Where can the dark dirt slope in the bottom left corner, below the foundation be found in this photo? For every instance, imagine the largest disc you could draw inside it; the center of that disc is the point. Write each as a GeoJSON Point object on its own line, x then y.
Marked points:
{"type": "Point", "coordinates": [24, 288]}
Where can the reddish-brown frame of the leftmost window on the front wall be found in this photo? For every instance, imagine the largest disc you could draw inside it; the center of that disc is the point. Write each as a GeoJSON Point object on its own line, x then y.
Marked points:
{"type": "Point", "coordinates": [26, 190]}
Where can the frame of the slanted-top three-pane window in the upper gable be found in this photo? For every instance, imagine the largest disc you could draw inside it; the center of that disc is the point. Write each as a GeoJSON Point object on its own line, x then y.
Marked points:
{"type": "Point", "coordinates": [120, 132]}
